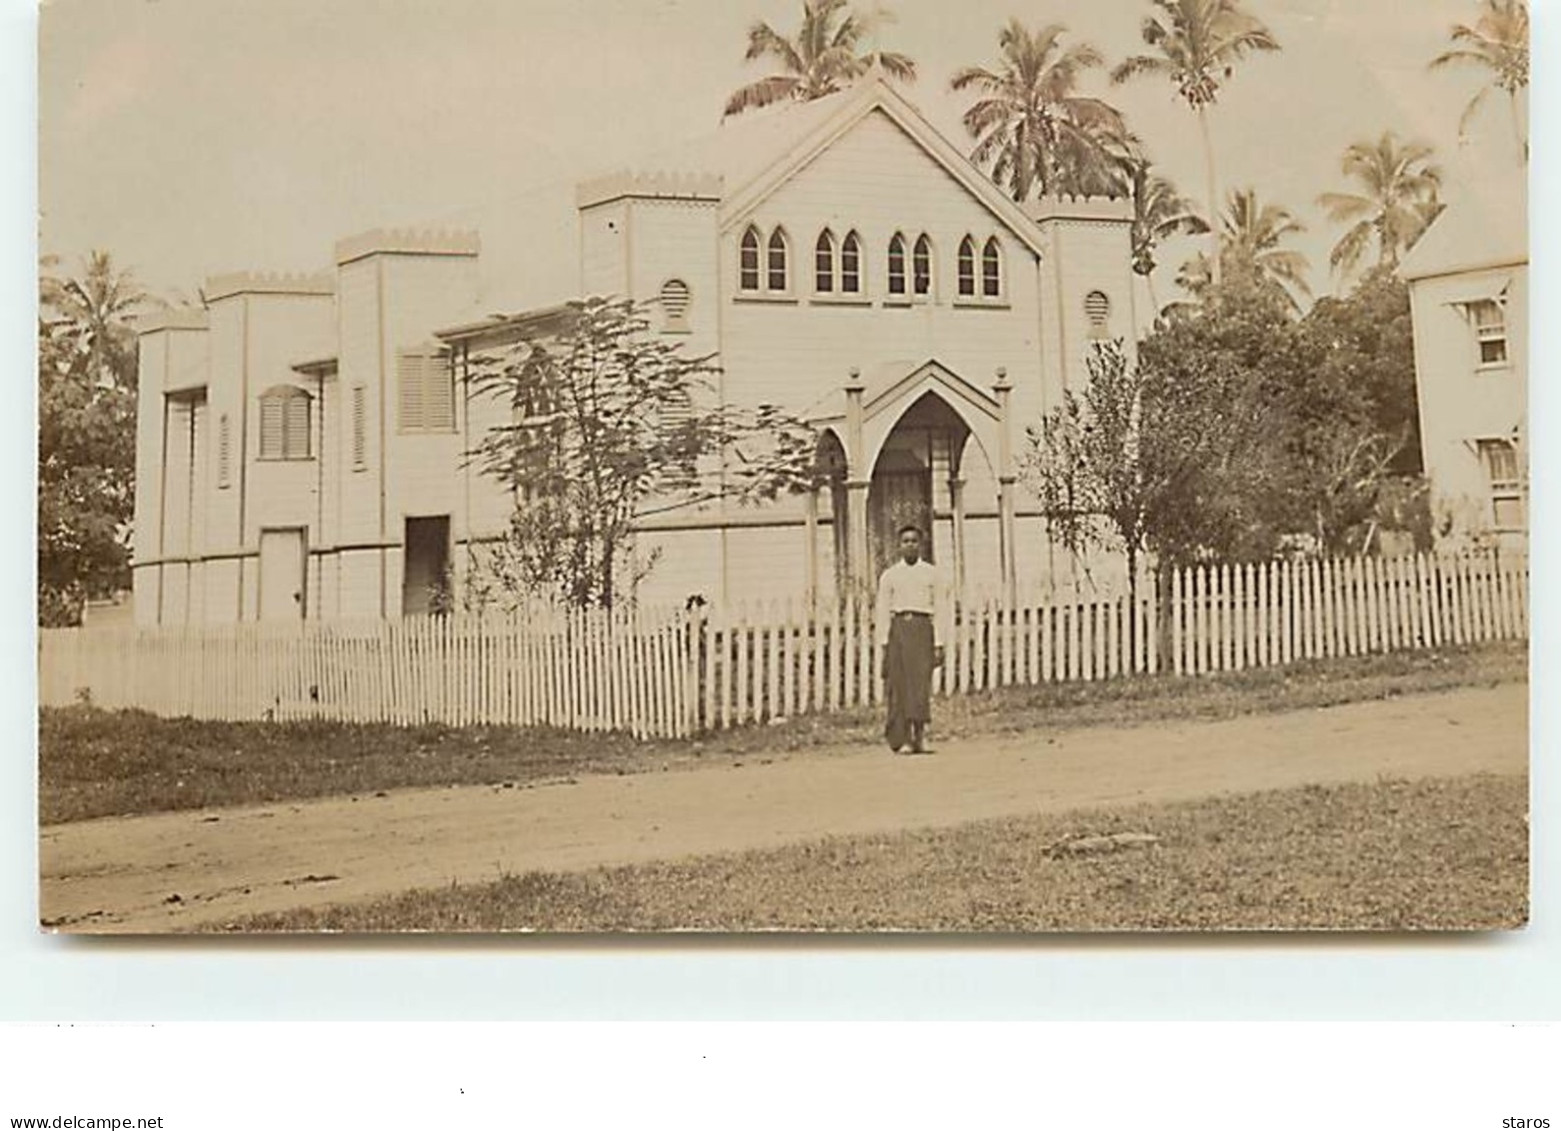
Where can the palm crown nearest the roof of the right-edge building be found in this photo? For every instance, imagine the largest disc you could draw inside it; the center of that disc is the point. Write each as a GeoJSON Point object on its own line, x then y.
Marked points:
{"type": "Point", "coordinates": [1398, 200]}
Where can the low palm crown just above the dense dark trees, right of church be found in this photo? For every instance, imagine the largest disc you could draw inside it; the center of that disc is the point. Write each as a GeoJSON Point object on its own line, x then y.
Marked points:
{"type": "Point", "coordinates": [1253, 253]}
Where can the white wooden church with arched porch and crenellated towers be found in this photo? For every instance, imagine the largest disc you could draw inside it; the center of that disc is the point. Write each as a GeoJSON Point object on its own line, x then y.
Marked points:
{"type": "Point", "coordinates": [300, 442]}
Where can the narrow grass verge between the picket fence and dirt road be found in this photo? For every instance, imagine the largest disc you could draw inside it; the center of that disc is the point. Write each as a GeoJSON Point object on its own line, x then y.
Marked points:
{"type": "Point", "coordinates": [104, 764]}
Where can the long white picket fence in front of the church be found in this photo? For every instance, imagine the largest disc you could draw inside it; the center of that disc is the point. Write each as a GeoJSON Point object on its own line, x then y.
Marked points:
{"type": "Point", "coordinates": [670, 675]}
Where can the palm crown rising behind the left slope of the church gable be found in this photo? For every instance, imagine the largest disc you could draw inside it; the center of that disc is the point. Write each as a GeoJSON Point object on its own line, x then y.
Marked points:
{"type": "Point", "coordinates": [822, 60]}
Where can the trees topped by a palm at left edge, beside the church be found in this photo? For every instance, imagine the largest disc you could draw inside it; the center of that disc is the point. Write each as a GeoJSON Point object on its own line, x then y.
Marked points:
{"type": "Point", "coordinates": [87, 434]}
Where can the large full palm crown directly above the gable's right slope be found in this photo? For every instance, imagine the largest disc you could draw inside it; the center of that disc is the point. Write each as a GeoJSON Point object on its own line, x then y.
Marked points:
{"type": "Point", "coordinates": [1031, 129]}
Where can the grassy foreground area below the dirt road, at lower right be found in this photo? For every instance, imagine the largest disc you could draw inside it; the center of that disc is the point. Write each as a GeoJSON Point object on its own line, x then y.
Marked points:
{"type": "Point", "coordinates": [1438, 854]}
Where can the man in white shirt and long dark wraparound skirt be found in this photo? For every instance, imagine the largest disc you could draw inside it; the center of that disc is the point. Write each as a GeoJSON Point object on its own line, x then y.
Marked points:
{"type": "Point", "coordinates": [909, 626]}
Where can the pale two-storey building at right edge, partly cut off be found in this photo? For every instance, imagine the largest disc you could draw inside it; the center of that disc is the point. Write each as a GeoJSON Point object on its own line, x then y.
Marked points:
{"type": "Point", "coordinates": [1470, 302]}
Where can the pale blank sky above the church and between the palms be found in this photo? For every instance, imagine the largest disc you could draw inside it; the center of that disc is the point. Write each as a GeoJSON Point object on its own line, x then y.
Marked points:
{"type": "Point", "coordinates": [201, 136]}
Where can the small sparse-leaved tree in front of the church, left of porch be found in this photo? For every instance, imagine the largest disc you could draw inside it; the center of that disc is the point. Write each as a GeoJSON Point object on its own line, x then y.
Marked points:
{"type": "Point", "coordinates": [613, 424]}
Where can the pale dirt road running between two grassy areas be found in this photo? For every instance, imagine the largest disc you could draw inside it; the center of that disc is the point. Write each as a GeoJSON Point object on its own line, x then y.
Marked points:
{"type": "Point", "coordinates": [172, 871]}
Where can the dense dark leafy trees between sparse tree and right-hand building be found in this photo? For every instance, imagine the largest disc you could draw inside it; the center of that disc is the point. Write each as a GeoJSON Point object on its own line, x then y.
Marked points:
{"type": "Point", "coordinates": [1328, 400]}
